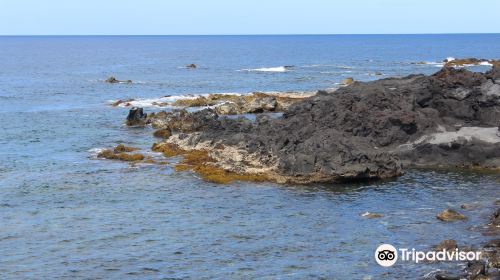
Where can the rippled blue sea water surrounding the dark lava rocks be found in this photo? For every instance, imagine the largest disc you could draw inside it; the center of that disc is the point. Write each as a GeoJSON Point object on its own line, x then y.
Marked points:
{"type": "Point", "coordinates": [65, 214]}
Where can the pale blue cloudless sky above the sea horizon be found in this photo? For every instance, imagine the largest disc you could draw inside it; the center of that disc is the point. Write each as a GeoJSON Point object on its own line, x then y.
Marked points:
{"type": "Point", "coordinates": [121, 17]}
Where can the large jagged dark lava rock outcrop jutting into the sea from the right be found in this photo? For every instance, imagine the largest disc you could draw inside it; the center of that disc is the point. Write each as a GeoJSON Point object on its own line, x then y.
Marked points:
{"type": "Point", "coordinates": [363, 131]}
